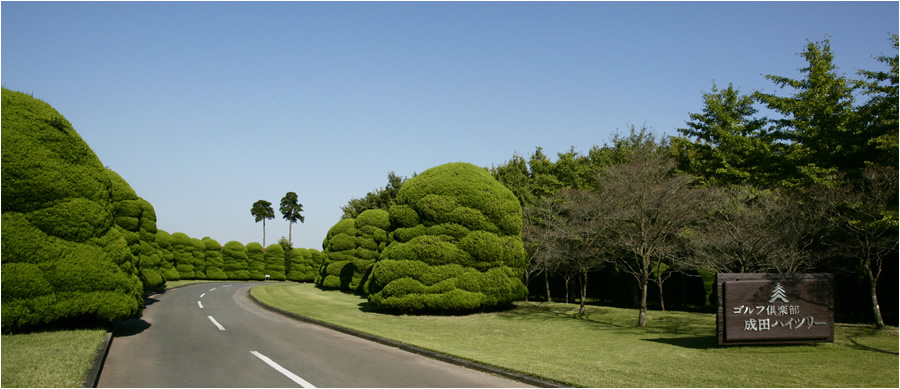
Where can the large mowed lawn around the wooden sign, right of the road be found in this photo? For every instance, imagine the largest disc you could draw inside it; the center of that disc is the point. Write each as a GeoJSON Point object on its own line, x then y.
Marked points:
{"type": "Point", "coordinates": [606, 349]}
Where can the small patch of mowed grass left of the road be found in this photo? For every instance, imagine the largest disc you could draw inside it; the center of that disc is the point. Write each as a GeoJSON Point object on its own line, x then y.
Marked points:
{"type": "Point", "coordinates": [58, 359]}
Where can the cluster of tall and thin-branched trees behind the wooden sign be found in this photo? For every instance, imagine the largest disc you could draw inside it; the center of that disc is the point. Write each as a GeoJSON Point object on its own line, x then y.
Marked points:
{"type": "Point", "coordinates": [814, 189]}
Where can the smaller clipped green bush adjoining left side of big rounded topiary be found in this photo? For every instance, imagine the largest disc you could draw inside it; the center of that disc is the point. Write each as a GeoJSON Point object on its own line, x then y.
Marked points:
{"type": "Point", "coordinates": [351, 248]}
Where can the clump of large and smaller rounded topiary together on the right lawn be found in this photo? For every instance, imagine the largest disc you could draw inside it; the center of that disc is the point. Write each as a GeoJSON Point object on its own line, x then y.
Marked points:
{"type": "Point", "coordinates": [448, 240]}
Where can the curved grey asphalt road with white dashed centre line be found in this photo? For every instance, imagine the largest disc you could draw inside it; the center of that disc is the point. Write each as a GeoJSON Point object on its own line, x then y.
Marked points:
{"type": "Point", "coordinates": [212, 335]}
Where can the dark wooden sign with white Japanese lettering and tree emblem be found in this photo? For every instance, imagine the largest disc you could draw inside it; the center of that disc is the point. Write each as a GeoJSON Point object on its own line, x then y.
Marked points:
{"type": "Point", "coordinates": [771, 308]}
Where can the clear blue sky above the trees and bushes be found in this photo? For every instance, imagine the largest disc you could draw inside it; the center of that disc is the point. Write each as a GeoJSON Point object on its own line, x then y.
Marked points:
{"type": "Point", "coordinates": [206, 107]}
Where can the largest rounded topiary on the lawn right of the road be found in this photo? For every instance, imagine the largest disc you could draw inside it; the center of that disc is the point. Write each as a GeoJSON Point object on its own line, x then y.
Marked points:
{"type": "Point", "coordinates": [455, 246]}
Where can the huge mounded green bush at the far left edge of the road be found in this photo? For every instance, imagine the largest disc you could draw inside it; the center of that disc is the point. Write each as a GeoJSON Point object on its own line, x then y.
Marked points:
{"type": "Point", "coordinates": [63, 255]}
